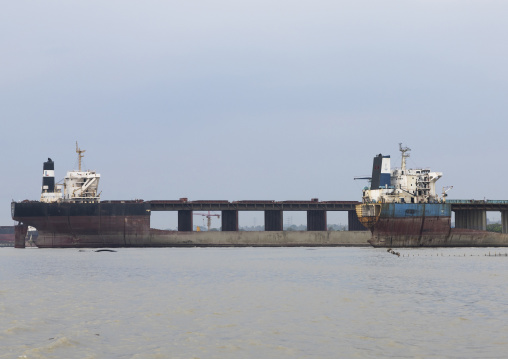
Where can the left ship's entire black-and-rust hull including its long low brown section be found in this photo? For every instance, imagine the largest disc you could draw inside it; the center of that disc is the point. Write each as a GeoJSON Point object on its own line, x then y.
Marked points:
{"type": "Point", "coordinates": [127, 224]}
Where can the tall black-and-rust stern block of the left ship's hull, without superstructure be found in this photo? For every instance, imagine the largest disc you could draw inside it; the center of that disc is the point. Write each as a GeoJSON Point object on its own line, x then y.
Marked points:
{"type": "Point", "coordinates": [91, 225]}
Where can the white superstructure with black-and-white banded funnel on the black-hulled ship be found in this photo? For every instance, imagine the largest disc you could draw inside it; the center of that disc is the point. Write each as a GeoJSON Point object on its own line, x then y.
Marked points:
{"type": "Point", "coordinates": [78, 186]}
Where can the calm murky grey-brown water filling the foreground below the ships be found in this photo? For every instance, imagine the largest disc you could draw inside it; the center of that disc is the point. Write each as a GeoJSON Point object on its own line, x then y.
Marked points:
{"type": "Point", "coordinates": [253, 303]}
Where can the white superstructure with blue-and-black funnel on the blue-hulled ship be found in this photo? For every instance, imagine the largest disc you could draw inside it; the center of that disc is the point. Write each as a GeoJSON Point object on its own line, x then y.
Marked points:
{"type": "Point", "coordinates": [401, 185]}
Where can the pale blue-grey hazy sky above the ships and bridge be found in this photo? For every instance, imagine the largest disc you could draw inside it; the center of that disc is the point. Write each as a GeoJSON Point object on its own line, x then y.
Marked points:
{"type": "Point", "coordinates": [281, 100]}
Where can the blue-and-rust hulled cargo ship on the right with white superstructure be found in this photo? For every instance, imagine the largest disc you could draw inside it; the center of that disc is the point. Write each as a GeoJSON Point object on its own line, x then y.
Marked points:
{"type": "Point", "coordinates": [402, 209]}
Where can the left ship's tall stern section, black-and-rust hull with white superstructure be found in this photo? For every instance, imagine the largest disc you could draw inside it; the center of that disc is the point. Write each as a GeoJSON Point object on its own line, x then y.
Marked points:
{"type": "Point", "coordinates": [71, 214]}
